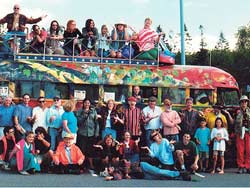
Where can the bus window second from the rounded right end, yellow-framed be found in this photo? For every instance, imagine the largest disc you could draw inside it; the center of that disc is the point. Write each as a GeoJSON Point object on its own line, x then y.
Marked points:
{"type": "Point", "coordinates": [201, 96]}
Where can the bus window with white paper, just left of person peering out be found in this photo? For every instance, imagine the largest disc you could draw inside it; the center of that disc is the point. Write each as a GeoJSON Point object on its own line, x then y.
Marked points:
{"type": "Point", "coordinates": [119, 93]}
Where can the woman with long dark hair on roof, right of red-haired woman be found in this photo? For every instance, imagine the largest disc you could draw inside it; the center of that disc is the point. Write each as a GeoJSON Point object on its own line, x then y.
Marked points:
{"type": "Point", "coordinates": [90, 35]}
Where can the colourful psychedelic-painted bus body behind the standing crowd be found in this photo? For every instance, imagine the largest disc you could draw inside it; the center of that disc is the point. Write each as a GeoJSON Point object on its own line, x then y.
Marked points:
{"type": "Point", "coordinates": [102, 78]}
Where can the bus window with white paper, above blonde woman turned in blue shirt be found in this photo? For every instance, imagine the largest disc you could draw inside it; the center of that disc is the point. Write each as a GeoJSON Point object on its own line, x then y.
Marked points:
{"type": "Point", "coordinates": [91, 91]}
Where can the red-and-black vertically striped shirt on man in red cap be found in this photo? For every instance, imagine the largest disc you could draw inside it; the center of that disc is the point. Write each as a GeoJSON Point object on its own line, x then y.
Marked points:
{"type": "Point", "coordinates": [132, 120]}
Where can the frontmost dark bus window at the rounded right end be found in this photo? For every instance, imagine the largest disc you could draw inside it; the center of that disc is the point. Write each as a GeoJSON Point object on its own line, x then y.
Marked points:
{"type": "Point", "coordinates": [227, 96]}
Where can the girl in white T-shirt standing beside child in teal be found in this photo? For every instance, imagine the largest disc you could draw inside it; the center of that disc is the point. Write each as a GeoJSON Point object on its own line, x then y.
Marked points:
{"type": "Point", "coordinates": [219, 135]}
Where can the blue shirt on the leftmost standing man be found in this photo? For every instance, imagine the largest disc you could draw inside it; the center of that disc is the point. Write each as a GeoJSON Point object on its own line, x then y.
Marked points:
{"type": "Point", "coordinates": [6, 115]}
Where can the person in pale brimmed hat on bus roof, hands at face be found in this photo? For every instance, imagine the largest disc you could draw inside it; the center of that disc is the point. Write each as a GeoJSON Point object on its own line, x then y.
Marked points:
{"type": "Point", "coordinates": [119, 36]}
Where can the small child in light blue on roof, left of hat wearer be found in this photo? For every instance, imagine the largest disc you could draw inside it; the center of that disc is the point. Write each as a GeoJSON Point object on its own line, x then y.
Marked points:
{"type": "Point", "coordinates": [104, 42]}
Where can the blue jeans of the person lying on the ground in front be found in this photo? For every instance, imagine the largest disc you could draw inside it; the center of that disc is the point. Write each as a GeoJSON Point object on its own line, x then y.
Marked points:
{"type": "Point", "coordinates": [153, 172]}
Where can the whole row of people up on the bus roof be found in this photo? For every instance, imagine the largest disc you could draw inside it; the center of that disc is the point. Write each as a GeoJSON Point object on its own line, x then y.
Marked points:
{"type": "Point", "coordinates": [87, 42]}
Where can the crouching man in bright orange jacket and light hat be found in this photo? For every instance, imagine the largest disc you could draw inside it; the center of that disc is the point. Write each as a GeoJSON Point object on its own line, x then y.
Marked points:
{"type": "Point", "coordinates": [68, 157]}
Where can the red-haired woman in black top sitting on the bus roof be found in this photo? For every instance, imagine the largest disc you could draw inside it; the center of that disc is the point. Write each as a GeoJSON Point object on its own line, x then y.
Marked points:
{"type": "Point", "coordinates": [71, 36]}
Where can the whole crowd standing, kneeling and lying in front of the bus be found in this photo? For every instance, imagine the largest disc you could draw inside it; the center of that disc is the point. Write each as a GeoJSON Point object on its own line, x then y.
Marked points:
{"type": "Point", "coordinates": [132, 141]}
